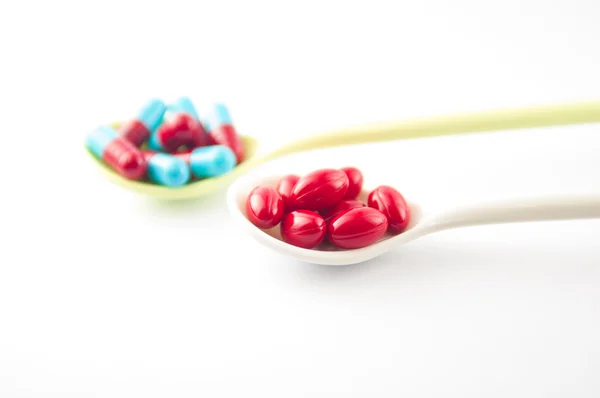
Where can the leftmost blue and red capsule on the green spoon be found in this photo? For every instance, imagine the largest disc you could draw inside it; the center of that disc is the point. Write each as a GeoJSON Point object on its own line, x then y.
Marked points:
{"type": "Point", "coordinates": [117, 152]}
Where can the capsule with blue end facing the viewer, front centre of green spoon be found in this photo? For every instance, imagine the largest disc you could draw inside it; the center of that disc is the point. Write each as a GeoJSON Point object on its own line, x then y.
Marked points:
{"type": "Point", "coordinates": [167, 170]}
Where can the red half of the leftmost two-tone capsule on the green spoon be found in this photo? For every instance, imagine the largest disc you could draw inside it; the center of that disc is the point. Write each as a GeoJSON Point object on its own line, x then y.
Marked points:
{"type": "Point", "coordinates": [125, 158]}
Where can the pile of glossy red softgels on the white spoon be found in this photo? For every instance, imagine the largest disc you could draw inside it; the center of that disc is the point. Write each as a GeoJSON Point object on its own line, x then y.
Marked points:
{"type": "Point", "coordinates": [324, 207]}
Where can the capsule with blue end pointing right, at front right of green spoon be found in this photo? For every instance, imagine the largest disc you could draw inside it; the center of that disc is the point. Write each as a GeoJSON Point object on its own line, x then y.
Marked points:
{"type": "Point", "coordinates": [209, 161]}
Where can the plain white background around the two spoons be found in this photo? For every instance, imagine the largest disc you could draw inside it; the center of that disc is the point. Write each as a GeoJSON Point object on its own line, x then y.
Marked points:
{"type": "Point", "coordinates": [104, 293]}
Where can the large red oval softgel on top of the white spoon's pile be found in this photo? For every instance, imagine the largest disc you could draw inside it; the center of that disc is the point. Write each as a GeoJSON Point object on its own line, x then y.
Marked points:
{"type": "Point", "coordinates": [319, 189]}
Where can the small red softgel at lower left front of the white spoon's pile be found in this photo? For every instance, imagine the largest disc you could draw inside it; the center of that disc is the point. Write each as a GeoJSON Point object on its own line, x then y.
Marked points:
{"type": "Point", "coordinates": [303, 228]}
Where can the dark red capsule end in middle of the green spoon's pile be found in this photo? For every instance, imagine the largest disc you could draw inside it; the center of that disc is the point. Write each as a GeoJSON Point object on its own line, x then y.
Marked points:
{"type": "Point", "coordinates": [181, 130]}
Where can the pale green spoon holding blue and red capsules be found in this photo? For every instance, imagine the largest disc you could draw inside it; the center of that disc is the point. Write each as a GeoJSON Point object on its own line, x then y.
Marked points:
{"type": "Point", "coordinates": [495, 120]}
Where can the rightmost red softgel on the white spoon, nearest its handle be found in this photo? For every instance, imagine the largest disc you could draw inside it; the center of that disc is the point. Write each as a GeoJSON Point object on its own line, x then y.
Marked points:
{"type": "Point", "coordinates": [391, 203]}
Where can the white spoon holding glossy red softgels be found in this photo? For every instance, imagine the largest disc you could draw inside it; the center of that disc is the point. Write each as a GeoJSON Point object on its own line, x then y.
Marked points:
{"type": "Point", "coordinates": [545, 208]}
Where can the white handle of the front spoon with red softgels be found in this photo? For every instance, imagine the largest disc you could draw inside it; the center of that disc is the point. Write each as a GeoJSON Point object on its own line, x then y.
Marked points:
{"type": "Point", "coordinates": [545, 208]}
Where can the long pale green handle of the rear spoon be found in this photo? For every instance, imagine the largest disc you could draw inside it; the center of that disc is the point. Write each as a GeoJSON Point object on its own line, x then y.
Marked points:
{"type": "Point", "coordinates": [482, 121]}
